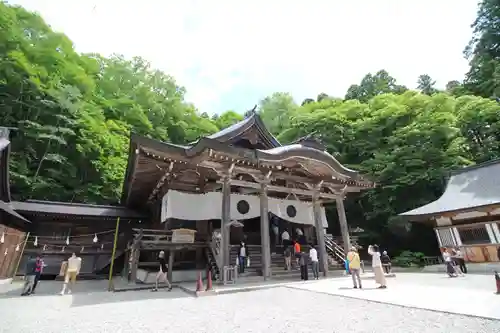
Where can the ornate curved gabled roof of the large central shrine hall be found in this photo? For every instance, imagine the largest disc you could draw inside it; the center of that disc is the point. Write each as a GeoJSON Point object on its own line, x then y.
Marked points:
{"type": "Point", "coordinates": [305, 158]}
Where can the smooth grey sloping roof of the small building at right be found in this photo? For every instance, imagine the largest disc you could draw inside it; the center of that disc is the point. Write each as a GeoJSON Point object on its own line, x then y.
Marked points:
{"type": "Point", "coordinates": [468, 188]}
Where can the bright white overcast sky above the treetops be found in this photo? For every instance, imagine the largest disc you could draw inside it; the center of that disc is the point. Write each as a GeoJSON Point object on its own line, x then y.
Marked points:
{"type": "Point", "coordinates": [230, 54]}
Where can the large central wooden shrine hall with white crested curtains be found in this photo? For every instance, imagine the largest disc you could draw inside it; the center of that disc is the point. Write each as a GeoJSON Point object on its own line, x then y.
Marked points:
{"type": "Point", "coordinates": [237, 177]}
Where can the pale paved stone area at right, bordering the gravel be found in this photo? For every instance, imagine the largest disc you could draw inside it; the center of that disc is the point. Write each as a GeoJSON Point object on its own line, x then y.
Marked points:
{"type": "Point", "coordinates": [471, 295]}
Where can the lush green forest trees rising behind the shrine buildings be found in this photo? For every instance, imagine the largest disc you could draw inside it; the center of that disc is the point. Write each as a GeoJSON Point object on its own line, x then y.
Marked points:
{"type": "Point", "coordinates": [74, 114]}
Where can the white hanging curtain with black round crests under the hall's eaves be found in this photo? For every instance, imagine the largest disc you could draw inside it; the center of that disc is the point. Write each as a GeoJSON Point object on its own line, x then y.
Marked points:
{"type": "Point", "coordinates": [208, 206]}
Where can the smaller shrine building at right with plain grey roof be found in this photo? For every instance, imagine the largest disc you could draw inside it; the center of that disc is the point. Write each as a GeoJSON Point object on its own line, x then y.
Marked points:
{"type": "Point", "coordinates": [467, 215]}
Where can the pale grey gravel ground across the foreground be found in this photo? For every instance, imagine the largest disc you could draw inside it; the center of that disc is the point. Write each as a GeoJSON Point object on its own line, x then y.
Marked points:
{"type": "Point", "coordinates": [272, 310]}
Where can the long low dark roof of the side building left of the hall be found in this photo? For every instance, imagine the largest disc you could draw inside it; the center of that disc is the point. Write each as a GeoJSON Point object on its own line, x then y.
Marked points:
{"type": "Point", "coordinates": [75, 209]}
